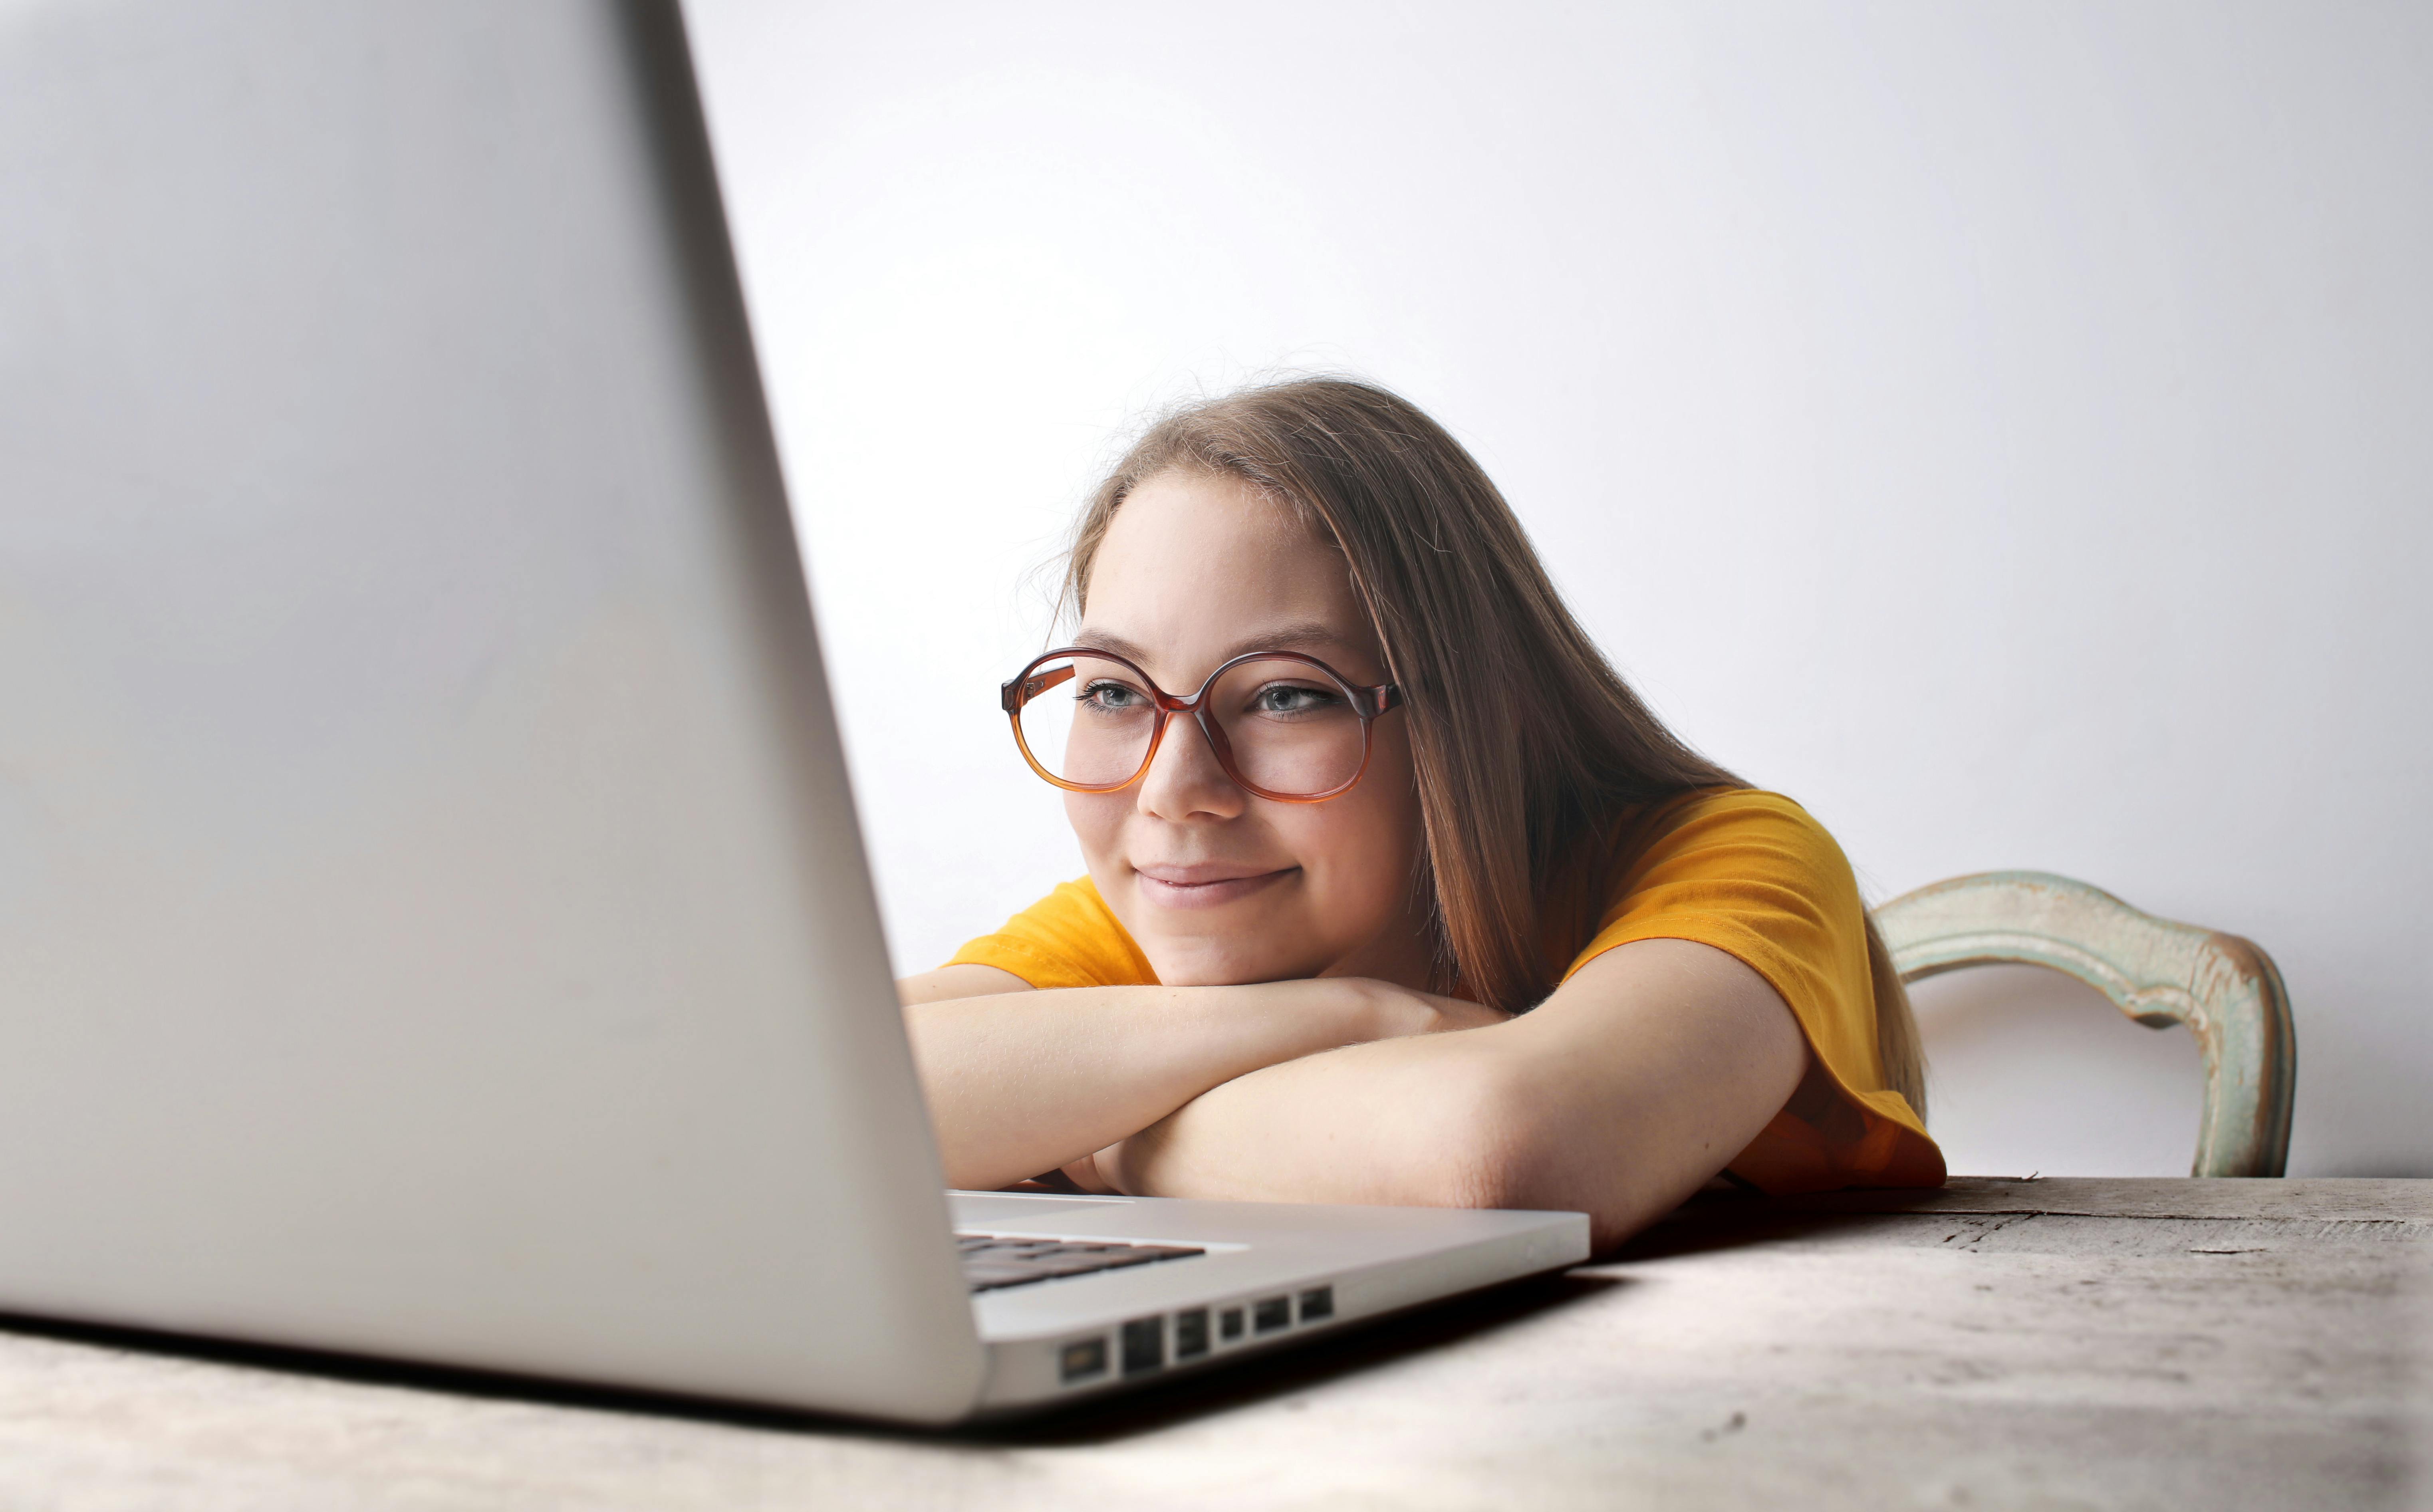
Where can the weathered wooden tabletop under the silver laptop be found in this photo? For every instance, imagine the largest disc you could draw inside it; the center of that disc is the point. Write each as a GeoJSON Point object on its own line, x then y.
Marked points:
{"type": "Point", "coordinates": [1989, 1345]}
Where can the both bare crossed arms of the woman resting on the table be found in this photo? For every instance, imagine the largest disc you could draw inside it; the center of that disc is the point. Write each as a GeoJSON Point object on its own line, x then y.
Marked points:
{"type": "Point", "coordinates": [1619, 1097]}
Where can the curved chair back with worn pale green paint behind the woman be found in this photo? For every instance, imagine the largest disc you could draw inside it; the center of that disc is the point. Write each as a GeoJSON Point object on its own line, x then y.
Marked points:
{"type": "Point", "coordinates": [2159, 973]}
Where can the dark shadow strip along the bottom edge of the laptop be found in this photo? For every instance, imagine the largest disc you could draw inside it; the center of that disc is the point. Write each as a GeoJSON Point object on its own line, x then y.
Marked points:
{"type": "Point", "coordinates": [1240, 1384]}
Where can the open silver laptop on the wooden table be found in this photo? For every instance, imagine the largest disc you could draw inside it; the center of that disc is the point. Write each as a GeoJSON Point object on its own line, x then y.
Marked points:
{"type": "Point", "coordinates": [432, 907]}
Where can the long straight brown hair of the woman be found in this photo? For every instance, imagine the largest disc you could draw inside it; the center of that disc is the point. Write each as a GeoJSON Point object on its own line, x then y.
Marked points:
{"type": "Point", "coordinates": [1527, 744]}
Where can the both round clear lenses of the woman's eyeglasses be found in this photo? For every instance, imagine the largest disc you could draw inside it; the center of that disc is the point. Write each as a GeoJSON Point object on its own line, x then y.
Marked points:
{"type": "Point", "coordinates": [1288, 727]}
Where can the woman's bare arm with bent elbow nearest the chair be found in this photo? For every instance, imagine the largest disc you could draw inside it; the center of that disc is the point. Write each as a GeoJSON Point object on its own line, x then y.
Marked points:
{"type": "Point", "coordinates": [1619, 1097]}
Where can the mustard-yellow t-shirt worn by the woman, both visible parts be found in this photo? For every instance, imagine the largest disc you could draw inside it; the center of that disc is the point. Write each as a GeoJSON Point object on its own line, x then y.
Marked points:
{"type": "Point", "coordinates": [1741, 870]}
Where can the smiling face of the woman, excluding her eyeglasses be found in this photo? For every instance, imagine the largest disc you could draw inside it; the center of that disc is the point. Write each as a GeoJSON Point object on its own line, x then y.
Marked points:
{"type": "Point", "coordinates": [1220, 887]}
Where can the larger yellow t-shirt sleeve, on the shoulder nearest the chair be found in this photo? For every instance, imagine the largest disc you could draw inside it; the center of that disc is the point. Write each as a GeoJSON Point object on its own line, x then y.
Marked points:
{"type": "Point", "coordinates": [1760, 880]}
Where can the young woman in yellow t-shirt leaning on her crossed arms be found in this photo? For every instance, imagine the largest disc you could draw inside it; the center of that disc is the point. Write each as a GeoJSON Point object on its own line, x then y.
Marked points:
{"type": "Point", "coordinates": [1398, 892]}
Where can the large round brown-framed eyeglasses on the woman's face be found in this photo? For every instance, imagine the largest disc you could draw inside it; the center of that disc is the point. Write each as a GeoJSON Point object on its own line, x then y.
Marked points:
{"type": "Point", "coordinates": [1283, 727]}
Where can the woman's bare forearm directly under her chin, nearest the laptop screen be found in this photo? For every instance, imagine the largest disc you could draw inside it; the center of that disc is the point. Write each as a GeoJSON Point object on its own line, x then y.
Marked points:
{"type": "Point", "coordinates": [1023, 1085]}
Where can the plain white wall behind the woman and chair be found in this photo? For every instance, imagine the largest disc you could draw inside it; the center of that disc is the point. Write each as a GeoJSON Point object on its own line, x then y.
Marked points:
{"type": "Point", "coordinates": [2004, 430]}
